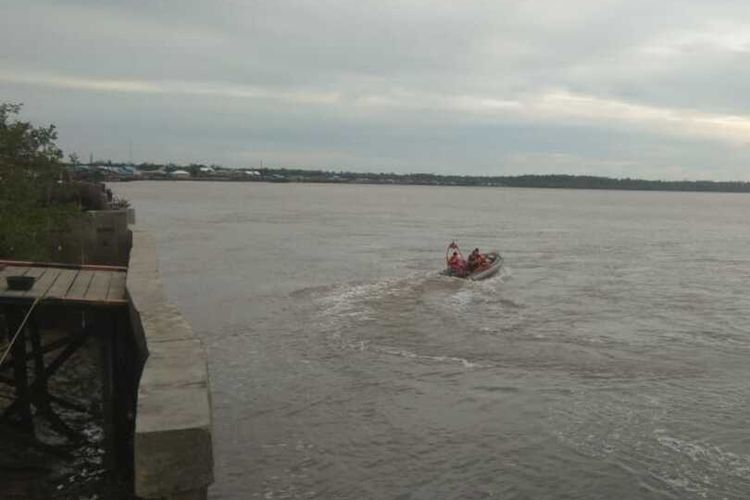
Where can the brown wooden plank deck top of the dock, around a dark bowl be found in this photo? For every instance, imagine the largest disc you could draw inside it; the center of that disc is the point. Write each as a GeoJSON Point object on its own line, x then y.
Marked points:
{"type": "Point", "coordinates": [96, 286]}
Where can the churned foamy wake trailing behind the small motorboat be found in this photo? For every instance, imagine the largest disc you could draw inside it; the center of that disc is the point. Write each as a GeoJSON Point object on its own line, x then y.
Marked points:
{"type": "Point", "coordinates": [419, 316]}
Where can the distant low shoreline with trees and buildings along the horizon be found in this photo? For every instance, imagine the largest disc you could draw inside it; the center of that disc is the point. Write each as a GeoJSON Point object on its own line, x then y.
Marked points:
{"type": "Point", "coordinates": [114, 173]}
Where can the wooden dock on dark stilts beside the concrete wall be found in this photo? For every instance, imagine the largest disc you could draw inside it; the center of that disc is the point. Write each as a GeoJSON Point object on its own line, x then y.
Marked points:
{"type": "Point", "coordinates": [96, 298]}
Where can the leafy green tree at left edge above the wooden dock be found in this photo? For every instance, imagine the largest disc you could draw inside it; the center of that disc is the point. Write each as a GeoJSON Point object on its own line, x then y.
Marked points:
{"type": "Point", "coordinates": [32, 209]}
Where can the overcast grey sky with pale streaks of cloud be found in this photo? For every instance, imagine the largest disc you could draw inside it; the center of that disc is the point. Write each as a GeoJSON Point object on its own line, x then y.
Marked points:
{"type": "Point", "coordinates": [617, 88]}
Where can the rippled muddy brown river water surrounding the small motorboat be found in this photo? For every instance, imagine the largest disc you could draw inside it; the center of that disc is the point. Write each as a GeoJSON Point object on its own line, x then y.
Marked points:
{"type": "Point", "coordinates": [610, 359]}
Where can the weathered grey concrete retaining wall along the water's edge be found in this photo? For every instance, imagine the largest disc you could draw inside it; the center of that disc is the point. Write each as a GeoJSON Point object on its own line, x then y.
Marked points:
{"type": "Point", "coordinates": [173, 439]}
